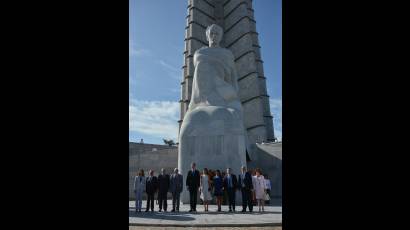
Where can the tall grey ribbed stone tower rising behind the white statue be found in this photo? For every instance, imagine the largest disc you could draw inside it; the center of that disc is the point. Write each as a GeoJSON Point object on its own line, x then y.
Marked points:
{"type": "Point", "coordinates": [240, 36]}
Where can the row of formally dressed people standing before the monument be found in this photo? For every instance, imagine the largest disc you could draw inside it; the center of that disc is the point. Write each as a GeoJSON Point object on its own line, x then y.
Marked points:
{"type": "Point", "coordinates": [209, 184]}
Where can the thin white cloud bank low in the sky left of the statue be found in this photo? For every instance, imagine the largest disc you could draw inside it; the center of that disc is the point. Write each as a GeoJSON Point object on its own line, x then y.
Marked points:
{"type": "Point", "coordinates": [154, 118]}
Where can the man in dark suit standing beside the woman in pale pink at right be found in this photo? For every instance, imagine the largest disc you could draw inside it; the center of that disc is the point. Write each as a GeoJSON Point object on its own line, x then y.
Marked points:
{"type": "Point", "coordinates": [246, 186]}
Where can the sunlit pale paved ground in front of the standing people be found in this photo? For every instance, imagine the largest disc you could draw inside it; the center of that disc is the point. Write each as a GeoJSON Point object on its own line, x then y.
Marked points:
{"type": "Point", "coordinates": [270, 219]}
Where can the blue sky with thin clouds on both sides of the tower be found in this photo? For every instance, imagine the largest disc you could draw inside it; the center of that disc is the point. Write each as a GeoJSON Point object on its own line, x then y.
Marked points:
{"type": "Point", "coordinates": [156, 46]}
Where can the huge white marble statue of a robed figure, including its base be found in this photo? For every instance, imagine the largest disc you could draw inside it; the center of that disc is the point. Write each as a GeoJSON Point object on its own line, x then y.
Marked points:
{"type": "Point", "coordinates": [212, 133]}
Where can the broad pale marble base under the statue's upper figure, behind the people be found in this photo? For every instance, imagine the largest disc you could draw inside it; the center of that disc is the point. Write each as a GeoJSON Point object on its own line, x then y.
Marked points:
{"type": "Point", "coordinates": [213, 137]}
